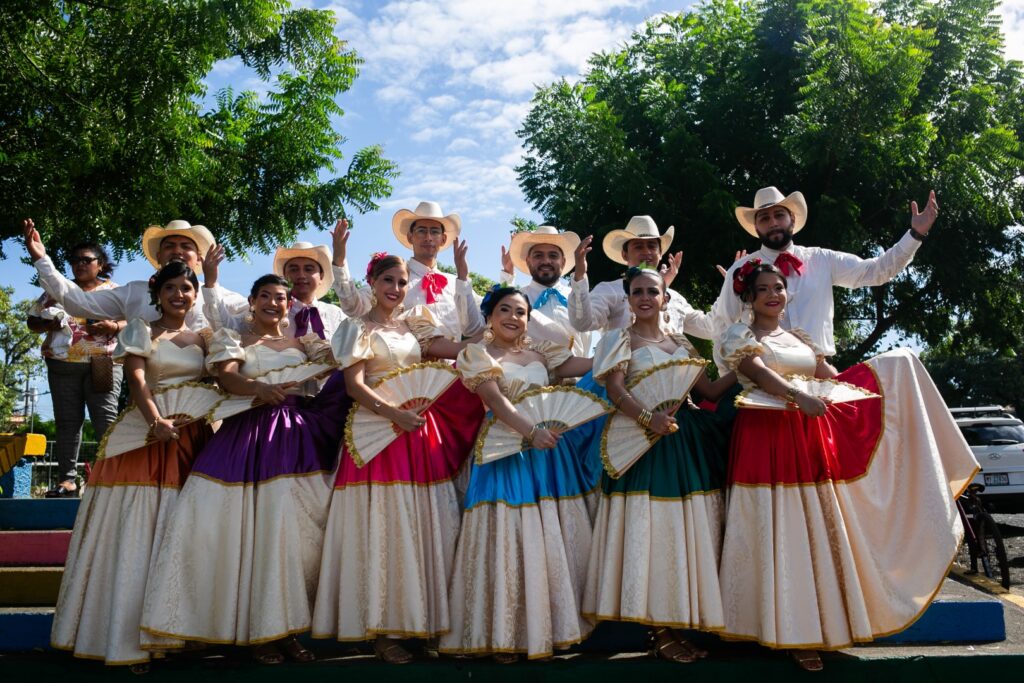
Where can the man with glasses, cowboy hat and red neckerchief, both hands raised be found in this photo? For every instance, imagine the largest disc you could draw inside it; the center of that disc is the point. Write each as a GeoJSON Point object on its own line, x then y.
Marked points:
{"type": "Point", "coordinates": [426, 232]}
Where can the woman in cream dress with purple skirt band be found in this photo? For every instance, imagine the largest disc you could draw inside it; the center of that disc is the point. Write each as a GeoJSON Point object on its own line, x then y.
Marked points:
{"type": "Point", "coordinates": [240, 560]}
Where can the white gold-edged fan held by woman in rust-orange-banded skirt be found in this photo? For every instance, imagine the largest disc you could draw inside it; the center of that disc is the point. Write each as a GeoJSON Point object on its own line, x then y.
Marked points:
{"type": "Point", "coordinates": [186, 403]}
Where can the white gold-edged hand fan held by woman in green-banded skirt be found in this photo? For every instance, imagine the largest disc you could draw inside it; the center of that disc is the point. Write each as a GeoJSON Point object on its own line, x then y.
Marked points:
{"type": "Point", "coordinates": [663, 388]}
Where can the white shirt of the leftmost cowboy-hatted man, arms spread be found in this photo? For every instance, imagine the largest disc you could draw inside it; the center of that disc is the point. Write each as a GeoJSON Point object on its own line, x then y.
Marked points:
{"type": "Point", "coordinates": [129, 302]}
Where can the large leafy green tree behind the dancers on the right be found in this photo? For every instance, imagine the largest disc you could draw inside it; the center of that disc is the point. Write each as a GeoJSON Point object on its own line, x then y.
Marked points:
{"type": "Point", "coordinates": [862, 107]}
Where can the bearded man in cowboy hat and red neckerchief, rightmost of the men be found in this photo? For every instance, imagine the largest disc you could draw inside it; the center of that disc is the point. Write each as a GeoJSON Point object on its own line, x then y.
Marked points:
{"type": "Point", "coordinates": [813, 272]}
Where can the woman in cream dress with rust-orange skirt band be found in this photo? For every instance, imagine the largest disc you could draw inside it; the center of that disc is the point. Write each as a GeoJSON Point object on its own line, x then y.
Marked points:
{"type": "Point", "coordinates": [131, 497]}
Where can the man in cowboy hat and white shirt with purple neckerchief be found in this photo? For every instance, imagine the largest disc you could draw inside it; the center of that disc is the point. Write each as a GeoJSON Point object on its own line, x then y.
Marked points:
{"type": "Point", "coordinates": [308, 267]}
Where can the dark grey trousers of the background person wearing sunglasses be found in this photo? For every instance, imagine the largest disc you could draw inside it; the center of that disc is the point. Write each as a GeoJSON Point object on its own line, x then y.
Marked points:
{"type": "Point", "coordinates": [71, 392]}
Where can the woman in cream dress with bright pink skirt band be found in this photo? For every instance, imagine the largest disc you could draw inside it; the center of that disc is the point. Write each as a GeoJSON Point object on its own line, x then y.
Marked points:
{"type": "Point", "coordinates": [394, 523]}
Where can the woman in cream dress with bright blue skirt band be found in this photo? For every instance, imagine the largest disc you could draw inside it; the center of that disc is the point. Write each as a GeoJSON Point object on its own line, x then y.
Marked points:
{"type": "Point", "coordinates": [526, 535]}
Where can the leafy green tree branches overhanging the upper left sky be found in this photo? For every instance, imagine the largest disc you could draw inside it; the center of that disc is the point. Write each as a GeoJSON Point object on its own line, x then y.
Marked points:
{"type": "Point", "coordinates": [106, 126]}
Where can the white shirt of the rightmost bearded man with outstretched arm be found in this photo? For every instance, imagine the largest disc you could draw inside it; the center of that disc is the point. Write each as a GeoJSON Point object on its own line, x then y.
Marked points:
{"type": "Point", "coordinates": [812, 306]}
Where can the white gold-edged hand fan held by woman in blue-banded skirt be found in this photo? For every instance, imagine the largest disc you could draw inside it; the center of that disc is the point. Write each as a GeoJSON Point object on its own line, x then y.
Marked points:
{"type": "Point", "coordinates": [559, 409]}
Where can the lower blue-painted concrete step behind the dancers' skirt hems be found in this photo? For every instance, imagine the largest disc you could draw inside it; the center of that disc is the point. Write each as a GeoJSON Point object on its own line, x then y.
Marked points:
{"type": "Point", "coordinates": [961, 615]}
